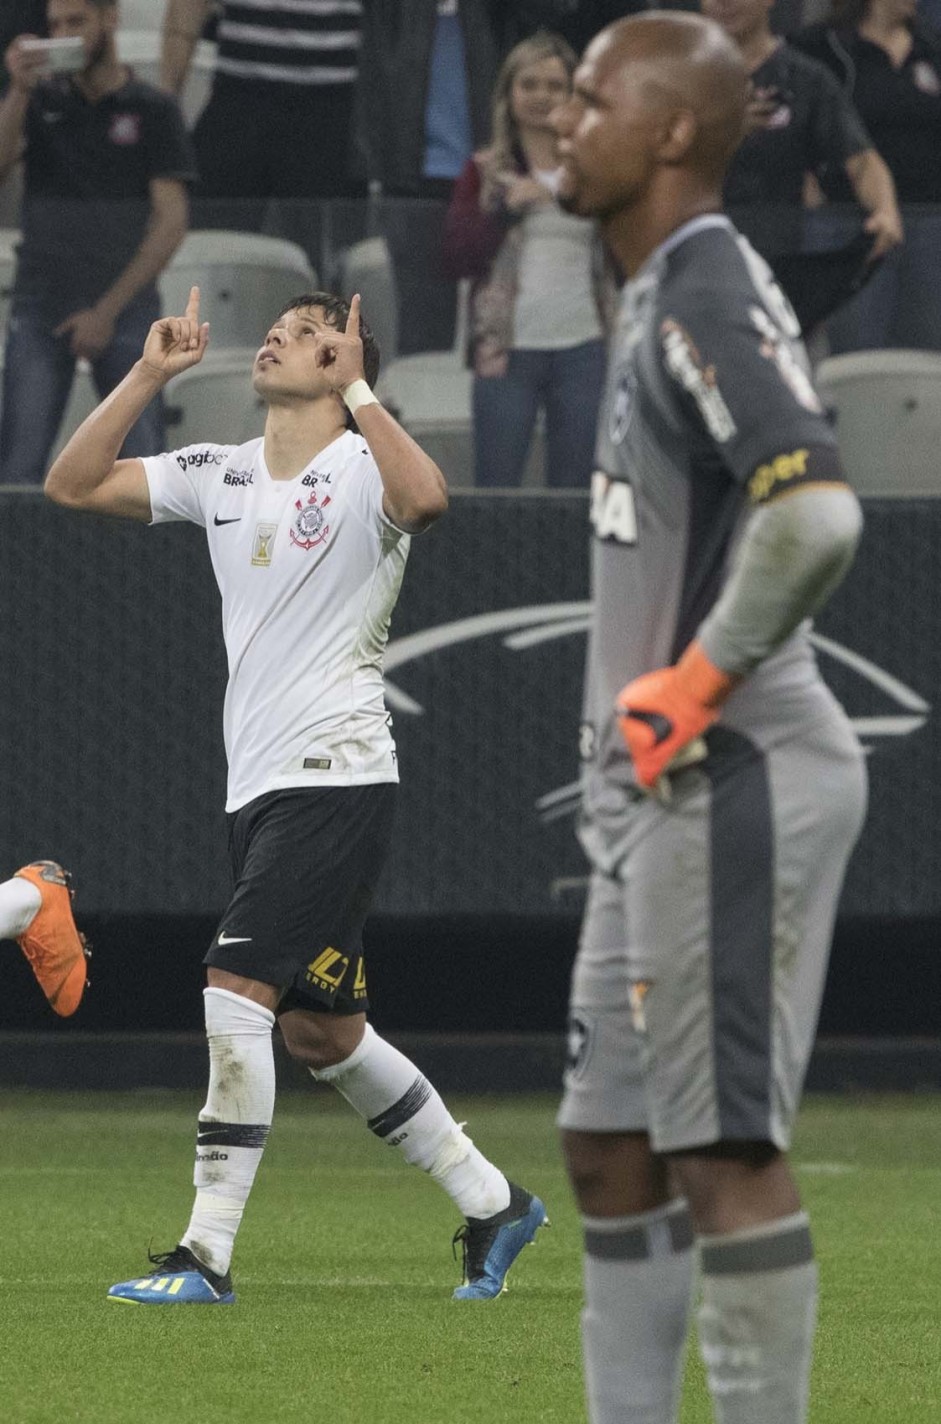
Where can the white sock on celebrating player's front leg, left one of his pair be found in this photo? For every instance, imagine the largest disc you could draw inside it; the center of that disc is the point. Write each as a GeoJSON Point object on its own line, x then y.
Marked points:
{"type": "Point", "coordinates": [234, 1124]}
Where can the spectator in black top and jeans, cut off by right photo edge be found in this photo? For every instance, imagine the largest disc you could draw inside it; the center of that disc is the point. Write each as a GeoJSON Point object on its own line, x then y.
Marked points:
{"type": "Point", "coordinates": [889, 63]}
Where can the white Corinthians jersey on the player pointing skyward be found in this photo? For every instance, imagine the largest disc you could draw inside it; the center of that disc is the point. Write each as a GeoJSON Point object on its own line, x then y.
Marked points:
{"type": "Point", "coordinates": [310, 573]}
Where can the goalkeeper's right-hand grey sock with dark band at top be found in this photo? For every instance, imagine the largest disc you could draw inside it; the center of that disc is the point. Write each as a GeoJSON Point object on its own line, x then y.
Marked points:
{"type": "Point", "coordinates": [757, 1321]}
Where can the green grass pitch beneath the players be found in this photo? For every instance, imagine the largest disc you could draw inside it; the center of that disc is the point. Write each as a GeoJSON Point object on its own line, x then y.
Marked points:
{"type": "Point", "coordinates": [344, 1272]}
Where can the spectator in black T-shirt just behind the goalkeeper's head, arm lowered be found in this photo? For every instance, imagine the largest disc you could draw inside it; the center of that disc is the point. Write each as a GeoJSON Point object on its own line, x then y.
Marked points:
{"type": "Point", "coordinates": [799, 123]}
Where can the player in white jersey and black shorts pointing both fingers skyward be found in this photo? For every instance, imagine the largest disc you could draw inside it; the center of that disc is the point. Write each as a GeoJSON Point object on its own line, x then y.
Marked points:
{"type": "Point", "coordinates": [308, 533]}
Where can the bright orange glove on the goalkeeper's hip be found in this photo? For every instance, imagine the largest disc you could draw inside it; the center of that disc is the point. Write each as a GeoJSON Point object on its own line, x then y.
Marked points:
{"type": "Point", "coordinates": [664, 714]}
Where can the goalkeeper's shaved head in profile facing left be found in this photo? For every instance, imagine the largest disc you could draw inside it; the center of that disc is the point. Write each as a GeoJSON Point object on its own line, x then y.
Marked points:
{"type": "Point", "coordinates": [657, 115]}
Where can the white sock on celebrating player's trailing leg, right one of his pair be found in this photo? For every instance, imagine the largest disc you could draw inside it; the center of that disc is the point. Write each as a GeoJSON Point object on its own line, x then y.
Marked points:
{"type": "Point", "coordinates": [404, 1110]}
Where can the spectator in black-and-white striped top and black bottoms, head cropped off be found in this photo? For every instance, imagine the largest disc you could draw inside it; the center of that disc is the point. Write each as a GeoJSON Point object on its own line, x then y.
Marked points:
{"type": "Point", "coordinates": [281, 109]}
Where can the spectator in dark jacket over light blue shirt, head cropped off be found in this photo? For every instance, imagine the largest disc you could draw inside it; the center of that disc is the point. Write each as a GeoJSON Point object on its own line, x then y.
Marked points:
{"type": "Point", "coordinates": [424, 106]}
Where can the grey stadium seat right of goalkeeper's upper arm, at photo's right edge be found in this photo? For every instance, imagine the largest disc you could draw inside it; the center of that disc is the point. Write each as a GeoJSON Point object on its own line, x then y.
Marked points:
{"type": "Point", "coordinates": [888, 407]}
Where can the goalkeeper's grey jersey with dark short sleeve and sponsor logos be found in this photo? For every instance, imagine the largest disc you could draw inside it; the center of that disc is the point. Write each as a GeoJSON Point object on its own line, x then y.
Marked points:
{"type": "Point", "coordinates": [708, 412]}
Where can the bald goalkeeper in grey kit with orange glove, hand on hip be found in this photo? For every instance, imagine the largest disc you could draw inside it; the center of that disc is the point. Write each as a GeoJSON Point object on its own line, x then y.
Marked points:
{"type": "Point", "coordinates": [724, 787]}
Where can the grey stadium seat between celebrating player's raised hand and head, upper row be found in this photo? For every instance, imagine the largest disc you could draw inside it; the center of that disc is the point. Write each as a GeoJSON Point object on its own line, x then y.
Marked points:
{"type": "Point", "coordinates": [246, 278]}
